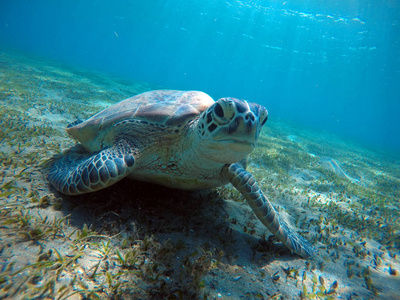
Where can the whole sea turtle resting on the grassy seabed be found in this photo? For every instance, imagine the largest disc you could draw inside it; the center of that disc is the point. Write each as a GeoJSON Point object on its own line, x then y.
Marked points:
{"type": "Point", "coordinates": [179, 139]}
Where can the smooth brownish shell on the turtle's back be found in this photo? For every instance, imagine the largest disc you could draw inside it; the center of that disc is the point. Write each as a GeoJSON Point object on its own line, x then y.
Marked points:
{"type": "Point", "coordinates": [164, 107]}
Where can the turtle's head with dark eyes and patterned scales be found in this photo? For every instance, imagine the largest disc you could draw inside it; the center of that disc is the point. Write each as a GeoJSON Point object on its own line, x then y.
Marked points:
{"type": "Point", "coordinates": [229, 129]}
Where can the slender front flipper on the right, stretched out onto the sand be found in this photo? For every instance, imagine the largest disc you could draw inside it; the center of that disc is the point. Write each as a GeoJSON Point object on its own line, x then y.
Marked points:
{"type": "Point", "coordinates": [247, 185]}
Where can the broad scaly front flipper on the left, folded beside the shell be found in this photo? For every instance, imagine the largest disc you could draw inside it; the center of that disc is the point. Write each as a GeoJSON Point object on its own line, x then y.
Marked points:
{"type": "Point", "coordinates": [77, 174]}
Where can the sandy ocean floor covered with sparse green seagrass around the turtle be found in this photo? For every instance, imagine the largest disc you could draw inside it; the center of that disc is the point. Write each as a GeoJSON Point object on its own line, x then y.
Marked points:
{"type": "Point", "coordinates": [142, 241]}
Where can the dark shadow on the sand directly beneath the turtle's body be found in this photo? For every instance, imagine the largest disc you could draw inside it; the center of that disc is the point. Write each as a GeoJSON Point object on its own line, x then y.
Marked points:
{"type": "Point", "coordinates": [140, 209]}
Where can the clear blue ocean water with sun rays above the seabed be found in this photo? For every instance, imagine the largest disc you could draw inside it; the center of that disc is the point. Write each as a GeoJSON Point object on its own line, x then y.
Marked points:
{"type": "Point", "coordinates": [332, 65]}
